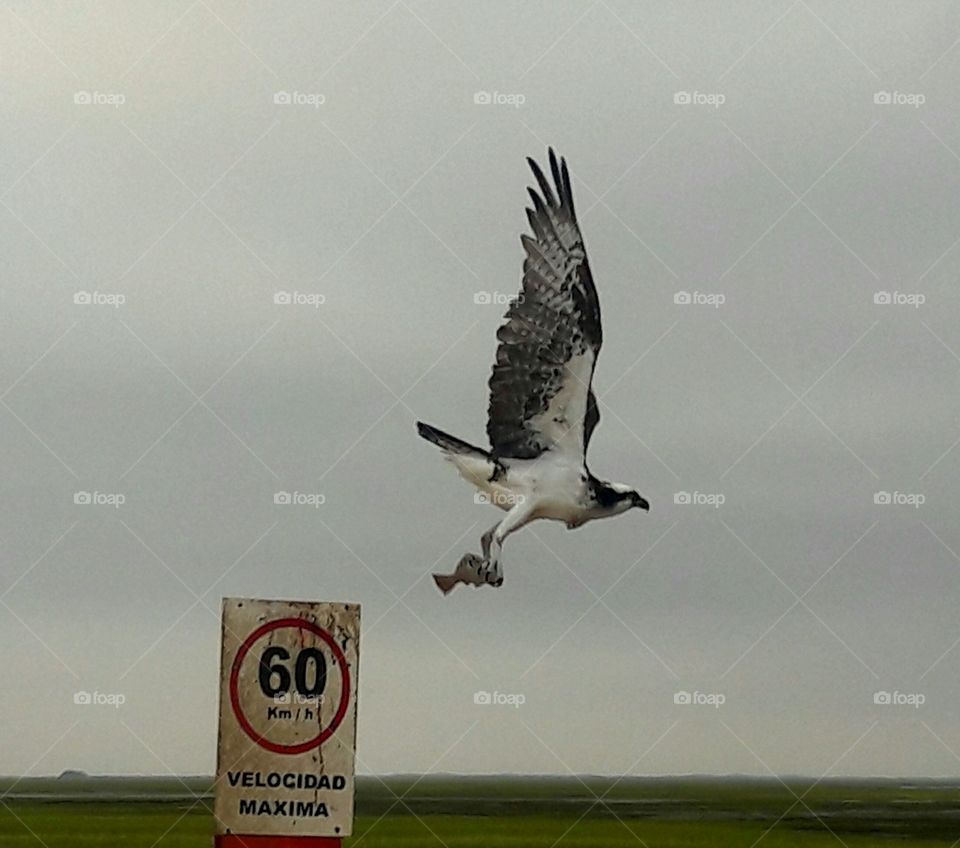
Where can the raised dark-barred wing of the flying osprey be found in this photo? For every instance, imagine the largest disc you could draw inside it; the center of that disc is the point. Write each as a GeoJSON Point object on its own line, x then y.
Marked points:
{"type": "Point", "coordinates": [540, 396]}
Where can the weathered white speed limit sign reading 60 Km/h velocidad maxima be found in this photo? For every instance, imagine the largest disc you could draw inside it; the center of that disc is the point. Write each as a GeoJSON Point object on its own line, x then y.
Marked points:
{"type": "Point", "coordinates": [288, 718]}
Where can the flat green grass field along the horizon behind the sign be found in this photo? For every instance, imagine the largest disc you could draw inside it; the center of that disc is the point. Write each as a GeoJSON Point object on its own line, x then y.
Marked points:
{"type": "Point", "coordinates": [509, 811]}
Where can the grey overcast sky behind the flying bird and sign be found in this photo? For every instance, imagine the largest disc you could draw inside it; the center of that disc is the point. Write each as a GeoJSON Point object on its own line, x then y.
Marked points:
{"type": "Point", "coordinates": [790, 169]}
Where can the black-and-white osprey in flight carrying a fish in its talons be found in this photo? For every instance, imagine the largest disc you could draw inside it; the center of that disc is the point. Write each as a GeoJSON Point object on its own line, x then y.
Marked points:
{"type": "Point", "coordinates": [542, 409]}
